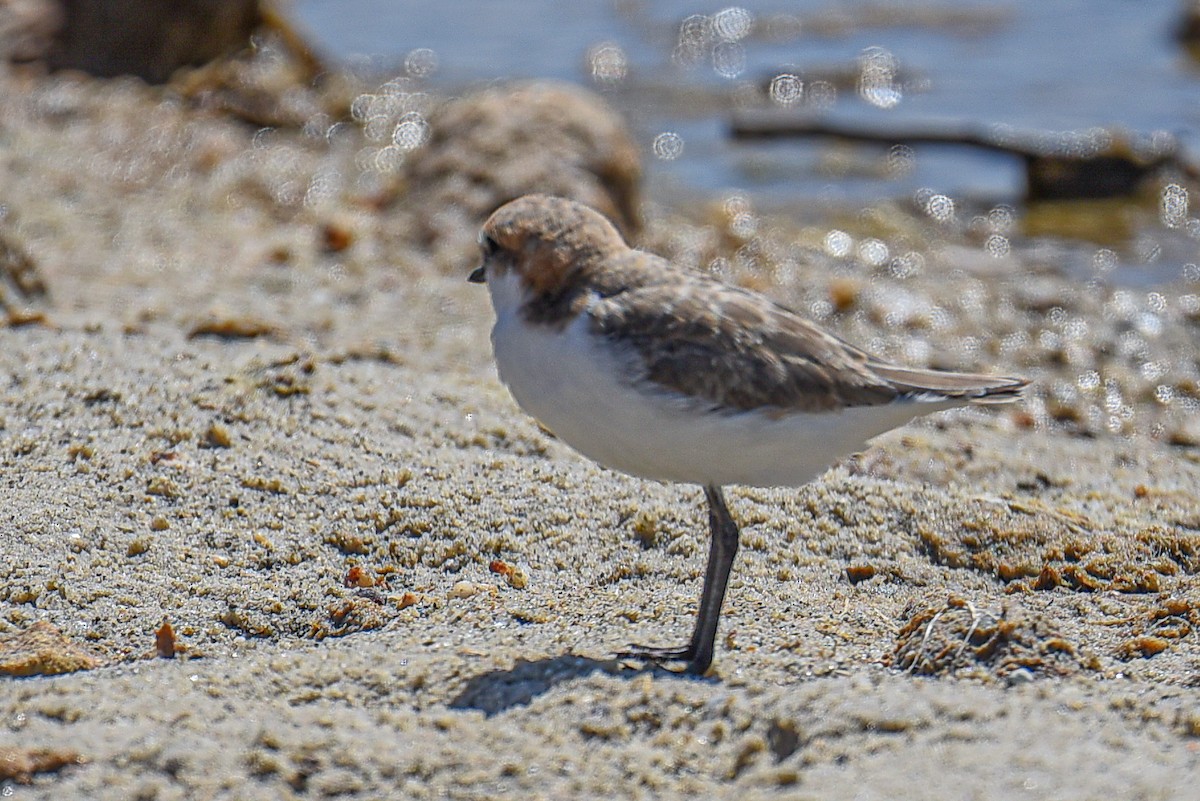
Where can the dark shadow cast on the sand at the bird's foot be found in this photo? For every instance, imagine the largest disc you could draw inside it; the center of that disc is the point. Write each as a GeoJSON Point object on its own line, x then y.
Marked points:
{"type": "Point", "coordinates": [499, 691]}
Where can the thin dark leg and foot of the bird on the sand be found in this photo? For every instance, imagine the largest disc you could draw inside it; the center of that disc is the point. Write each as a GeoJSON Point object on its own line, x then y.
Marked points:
{"type": "Point", "coordinates": [722, 550]}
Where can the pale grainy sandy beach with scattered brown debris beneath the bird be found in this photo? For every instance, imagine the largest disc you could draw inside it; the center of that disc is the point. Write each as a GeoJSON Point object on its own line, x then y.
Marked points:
{"type": "Point", "coordinates": [251, 406]}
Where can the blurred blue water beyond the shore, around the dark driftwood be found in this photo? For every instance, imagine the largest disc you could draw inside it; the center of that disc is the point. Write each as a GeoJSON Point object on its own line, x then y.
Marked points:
{"type": "Point", "coordinates": [1066, 65]}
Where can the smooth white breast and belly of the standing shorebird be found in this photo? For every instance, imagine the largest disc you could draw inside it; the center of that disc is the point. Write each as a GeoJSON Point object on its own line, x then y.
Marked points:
{"type": "Point", "coordinates": [578, 389]}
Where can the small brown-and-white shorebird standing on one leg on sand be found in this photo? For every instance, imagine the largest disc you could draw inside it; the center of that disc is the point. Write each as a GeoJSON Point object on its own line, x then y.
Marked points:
{"type": "Point", "coordinates": [668, 374]}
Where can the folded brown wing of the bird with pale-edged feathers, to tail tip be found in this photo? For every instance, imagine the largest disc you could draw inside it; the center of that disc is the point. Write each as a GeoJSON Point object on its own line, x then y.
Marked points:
{"type": "Point", "coordinates": [736, 352]}
